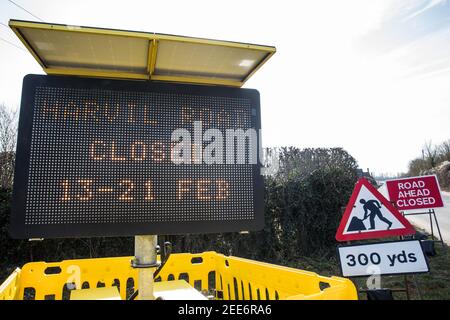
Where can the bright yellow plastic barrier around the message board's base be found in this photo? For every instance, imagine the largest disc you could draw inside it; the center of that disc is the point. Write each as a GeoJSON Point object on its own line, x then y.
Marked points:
{"type": "Point", "coordinates": [228, 278]}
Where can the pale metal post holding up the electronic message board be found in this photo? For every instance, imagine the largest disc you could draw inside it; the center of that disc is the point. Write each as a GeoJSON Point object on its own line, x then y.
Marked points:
{"type": "Point", "coordinates": [145, 260]}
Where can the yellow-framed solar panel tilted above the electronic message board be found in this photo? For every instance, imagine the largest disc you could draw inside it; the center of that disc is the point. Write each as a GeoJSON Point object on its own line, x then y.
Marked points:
{"type": "Point", "coordinates": [109, 53]}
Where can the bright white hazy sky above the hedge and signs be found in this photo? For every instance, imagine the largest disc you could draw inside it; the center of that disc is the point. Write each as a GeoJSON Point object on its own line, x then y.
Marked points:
{"type": "Point", "coordinates": [370, 76]}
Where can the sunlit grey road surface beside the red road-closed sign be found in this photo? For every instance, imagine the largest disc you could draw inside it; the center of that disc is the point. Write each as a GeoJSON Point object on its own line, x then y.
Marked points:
{"type": "Point", "coordinates": [442, 215]}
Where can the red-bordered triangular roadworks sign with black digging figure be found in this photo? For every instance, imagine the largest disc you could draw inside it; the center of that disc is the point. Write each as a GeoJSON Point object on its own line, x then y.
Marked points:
{"type": "Point", "coordinates": [369, 215]}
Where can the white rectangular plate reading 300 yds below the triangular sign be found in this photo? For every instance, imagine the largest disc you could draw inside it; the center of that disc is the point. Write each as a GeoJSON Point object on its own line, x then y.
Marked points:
{"type": "Point", "coordinates": [383, 258]}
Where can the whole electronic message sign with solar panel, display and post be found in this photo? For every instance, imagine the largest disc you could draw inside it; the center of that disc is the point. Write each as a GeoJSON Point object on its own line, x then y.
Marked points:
{"type": "Point", "coordinates": [103, 157]}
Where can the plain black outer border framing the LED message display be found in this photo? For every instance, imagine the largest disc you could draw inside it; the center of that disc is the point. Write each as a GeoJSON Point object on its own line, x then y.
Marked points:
{"type": "Point", "coordinates": [18, 229]}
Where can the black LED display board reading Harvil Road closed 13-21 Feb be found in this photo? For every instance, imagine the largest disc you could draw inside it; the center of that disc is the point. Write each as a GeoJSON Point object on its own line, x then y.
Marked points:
{"type": "Point", "coordinates": [98, 157]}
